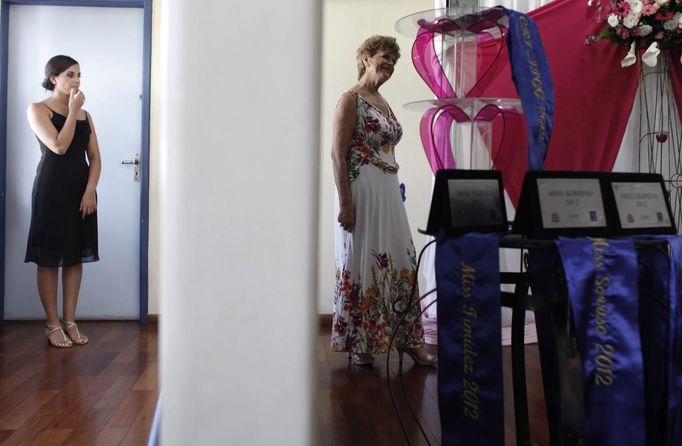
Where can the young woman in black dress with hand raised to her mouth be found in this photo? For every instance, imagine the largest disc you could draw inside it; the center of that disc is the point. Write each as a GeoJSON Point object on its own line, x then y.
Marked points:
{"type": "Point", "coordinates": [63, 232]}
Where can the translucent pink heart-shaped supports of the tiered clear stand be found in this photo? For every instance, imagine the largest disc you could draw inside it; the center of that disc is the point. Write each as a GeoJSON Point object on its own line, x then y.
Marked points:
{"type": "Point", "coordinates": [485, 42]}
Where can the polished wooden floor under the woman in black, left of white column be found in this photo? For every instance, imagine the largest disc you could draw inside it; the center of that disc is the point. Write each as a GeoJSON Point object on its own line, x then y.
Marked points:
{"type": "Point", "coordinates": [103, 393]}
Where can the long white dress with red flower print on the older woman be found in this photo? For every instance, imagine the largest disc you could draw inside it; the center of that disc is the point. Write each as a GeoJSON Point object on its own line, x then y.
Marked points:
{"type": "Point", "coordinates": [375, 264]}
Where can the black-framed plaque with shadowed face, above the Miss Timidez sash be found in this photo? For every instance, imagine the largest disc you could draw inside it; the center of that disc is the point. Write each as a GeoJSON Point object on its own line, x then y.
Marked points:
{"type": "Point", "coordinates": [467, 201]}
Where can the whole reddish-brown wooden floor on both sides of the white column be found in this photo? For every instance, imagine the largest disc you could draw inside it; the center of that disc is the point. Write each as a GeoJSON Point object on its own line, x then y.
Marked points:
{"type": "Point", "coordinates": [105, 393]}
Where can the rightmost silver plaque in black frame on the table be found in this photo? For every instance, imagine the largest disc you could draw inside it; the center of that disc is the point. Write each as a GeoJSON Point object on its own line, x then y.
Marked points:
{"type": "Point", "coordinates": [641, 204]}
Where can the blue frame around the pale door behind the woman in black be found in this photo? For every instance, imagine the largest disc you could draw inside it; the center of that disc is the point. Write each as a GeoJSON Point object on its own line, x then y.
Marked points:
{"type": "Point", "coordinates": [144, 134]}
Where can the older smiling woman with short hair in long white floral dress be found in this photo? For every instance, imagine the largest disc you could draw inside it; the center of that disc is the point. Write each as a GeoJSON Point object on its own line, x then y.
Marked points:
{"type": "Point", "coordinates": [375, 256]}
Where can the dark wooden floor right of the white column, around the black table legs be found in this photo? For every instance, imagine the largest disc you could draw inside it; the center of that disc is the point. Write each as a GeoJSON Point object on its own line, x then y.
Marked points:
{"type": "Point", "coordinates": [354, 403]}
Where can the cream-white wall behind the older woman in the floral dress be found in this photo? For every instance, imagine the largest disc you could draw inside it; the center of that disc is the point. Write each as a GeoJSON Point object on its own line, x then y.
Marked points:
{"type": "Point", "coordinates": [346, 24]}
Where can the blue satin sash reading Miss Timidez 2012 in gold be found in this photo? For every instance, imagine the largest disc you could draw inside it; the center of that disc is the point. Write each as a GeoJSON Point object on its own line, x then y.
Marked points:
{"type": "Point", "coordinates": [469, 347]}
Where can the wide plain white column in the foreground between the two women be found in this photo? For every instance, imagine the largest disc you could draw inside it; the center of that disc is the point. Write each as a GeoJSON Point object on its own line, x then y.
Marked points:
{"type": "Point", "coordinates": [238, 187]}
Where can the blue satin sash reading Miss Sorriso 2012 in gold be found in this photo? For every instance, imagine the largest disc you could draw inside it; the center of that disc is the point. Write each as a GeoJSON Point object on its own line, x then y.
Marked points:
{"type": "Point", "coordinates": [603, 294]}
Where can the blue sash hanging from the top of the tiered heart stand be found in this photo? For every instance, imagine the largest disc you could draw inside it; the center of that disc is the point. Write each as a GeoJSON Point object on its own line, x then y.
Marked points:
{"type": "Point", "coordinates": [533, 81]}
